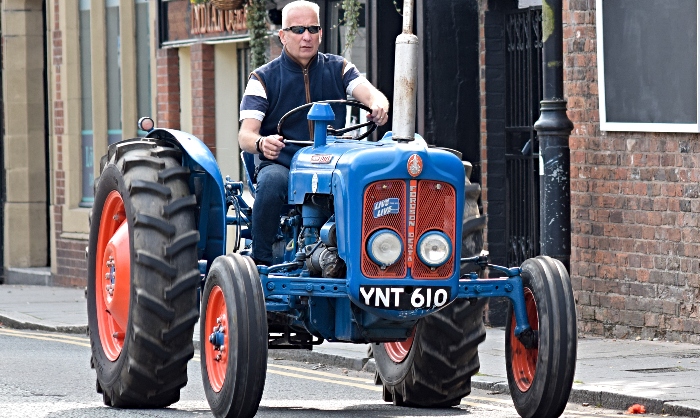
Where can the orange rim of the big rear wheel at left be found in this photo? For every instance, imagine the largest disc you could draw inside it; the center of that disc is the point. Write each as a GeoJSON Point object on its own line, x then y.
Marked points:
{"type": "Point", "coordinates": [113, 276]}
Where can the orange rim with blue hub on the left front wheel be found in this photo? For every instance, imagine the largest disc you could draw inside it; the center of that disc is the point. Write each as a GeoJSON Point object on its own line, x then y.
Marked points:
{"type": "Point", "coordinates": [216, 357]}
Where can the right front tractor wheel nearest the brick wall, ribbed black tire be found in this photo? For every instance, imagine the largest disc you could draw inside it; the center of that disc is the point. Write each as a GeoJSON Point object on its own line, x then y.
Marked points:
{"type": "Point", "coordinates": [540, 377]}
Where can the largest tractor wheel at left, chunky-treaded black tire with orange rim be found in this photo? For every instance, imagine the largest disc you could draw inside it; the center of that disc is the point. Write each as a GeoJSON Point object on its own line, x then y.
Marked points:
{"type": "Point", "coordinates": [142, 276]}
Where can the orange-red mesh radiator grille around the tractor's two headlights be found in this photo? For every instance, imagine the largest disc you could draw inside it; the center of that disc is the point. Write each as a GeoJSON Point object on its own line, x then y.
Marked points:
{"type": "Point", "coordinates": [435, 209]}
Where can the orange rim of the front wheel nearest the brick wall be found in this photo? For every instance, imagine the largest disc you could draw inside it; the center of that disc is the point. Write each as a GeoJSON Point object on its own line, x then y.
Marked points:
{"type": "Point", "coordinates": [524, 360]}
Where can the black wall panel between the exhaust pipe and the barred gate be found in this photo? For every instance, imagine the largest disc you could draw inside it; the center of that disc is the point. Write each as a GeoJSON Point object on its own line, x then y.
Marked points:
{"type": "Point", "coordinates": [450, 39]}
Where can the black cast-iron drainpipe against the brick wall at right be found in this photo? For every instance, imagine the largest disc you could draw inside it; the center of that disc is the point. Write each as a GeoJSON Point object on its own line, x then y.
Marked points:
{"type": "Point", "coordinates": [553, 130]}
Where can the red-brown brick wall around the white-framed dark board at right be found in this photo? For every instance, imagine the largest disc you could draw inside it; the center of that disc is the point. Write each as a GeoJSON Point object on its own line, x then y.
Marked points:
{"type": "Point", "coordinates": [635, 211]}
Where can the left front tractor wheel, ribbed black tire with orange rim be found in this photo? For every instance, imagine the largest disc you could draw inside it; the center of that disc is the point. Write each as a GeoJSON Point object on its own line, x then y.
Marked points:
{"type": "Point", "coordinates": [233, 337]}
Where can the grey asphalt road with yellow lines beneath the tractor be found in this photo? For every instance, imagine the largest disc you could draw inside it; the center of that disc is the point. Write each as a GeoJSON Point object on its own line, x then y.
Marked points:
{"type": "Point", "coordinates": [49, 375]}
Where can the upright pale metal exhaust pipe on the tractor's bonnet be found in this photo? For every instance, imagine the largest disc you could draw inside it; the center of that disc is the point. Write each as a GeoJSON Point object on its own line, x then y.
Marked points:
{"type": "Point", "coordinates": [405, 75]}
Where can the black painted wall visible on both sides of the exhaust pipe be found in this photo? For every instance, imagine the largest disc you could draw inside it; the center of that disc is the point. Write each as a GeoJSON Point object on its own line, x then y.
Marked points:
{"type": "Point", "coordinates": [448, 98]}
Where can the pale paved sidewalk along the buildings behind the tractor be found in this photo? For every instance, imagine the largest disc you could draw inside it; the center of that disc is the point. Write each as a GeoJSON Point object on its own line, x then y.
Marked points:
{"type": "Point", "coordinates": [661, 375]}
